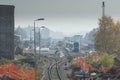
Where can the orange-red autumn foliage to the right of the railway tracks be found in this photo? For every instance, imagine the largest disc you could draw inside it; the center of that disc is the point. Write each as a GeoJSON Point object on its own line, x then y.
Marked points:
{"type": "Point", "coordinates": [84, 65]}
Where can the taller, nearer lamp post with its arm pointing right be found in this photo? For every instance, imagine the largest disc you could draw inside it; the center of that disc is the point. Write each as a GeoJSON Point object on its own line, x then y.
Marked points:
{"type": "Point", "coordinates": [35, 45]}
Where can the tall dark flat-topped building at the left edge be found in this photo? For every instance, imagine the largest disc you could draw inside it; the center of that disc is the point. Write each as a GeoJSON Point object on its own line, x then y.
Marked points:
{"type": "Point", "coordinates": [7, 31]}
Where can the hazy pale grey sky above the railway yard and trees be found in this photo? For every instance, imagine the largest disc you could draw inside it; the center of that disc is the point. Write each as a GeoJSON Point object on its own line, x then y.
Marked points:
{"type": "Point", "coordinates": [67, 16]}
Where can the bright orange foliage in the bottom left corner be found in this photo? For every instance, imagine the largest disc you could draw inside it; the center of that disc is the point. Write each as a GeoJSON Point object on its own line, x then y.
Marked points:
{"type": "Point", "coordinates": [17, 72]}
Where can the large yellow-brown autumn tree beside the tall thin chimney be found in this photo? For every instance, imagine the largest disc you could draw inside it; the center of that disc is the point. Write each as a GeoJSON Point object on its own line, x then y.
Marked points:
{"type": "Point", "coordinates": [105, 38]}
